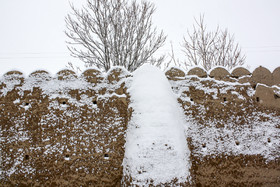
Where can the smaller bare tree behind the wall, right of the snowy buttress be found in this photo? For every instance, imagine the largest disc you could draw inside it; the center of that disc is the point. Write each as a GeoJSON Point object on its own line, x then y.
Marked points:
{"type": "Point", "coordinates": [211, 48]}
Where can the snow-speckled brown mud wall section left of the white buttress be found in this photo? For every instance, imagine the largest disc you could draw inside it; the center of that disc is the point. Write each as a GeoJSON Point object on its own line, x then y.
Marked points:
{"type": "Point", "coordinates": [63, 130]}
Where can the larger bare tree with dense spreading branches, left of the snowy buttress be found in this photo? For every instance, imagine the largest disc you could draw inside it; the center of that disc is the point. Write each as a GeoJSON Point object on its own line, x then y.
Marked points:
{"type": "Point", "coordinates": [114, 33]}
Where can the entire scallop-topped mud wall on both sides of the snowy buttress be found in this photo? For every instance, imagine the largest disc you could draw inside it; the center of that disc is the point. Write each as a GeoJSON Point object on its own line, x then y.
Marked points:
{"type": "Point", "coordinates": [70, 130]}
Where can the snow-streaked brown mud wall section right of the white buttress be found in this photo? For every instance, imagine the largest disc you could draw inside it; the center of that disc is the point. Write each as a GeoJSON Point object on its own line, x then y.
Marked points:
{"type": "Point", "coordinates": [233, 125]}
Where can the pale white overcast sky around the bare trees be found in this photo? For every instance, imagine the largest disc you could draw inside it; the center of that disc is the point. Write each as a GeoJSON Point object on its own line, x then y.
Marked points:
{"type": "Point", "coordinates": [32, 37]}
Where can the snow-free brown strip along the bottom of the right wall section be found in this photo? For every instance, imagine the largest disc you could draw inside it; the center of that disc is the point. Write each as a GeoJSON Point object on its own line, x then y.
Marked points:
{"type": "Point", "coordinates": [241, 170]}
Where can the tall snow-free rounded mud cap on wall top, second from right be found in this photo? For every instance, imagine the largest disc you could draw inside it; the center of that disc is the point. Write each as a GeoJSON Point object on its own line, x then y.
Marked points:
{"type": "Point", "coordinates": [262, 75]}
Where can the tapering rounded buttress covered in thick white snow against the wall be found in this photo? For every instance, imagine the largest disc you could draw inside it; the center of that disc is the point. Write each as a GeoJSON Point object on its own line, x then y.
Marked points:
{"type": "Point", "coordinates": [156, 146]}
